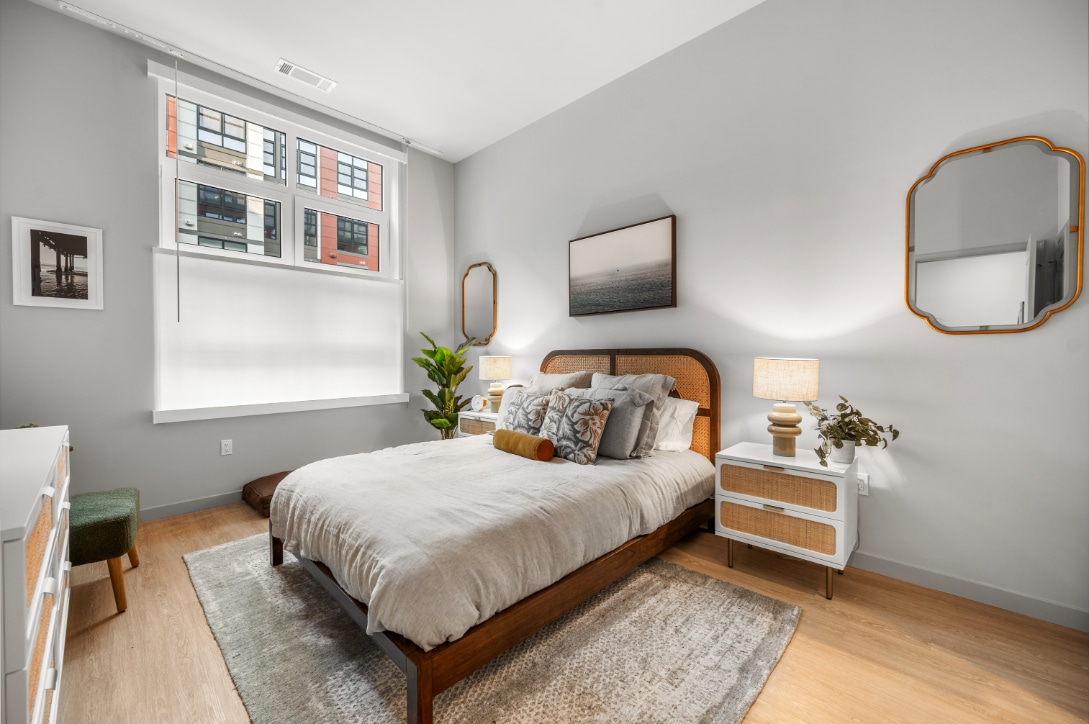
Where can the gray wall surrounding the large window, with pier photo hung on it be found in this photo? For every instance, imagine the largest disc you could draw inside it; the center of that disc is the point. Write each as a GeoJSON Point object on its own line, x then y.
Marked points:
{"type": "Point", "coordinates": [78, 145]}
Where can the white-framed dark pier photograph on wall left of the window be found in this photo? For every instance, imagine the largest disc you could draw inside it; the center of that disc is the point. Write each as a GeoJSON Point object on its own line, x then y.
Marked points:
{"type": "Point", "coordinates": [56, 265]}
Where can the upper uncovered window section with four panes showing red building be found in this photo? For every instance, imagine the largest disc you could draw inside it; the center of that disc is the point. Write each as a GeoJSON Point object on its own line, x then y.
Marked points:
{"type": "Point", "coordinates": [240, 193]}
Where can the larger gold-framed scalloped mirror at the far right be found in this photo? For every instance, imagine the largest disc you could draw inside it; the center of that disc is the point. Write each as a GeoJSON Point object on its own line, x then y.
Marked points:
{"type": "Point", "coordinates": [995, 237]}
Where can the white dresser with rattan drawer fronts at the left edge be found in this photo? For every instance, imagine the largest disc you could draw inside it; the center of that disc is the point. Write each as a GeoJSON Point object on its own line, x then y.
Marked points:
{"type": "Point", "coordinates": [34, 520]}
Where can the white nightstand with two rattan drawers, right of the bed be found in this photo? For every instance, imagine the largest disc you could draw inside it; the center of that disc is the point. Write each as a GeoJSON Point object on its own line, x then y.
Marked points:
{"type": "Point", "coordinates": [792, 506]}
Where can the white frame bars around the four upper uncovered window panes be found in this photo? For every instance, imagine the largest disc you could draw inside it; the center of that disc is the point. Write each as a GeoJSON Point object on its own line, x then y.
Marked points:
{"type": "Point", "coordinates": [292, 199]}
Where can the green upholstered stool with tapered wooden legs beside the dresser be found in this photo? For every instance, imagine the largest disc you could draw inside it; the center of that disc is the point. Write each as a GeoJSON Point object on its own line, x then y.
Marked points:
{"type": "Point", "coordinates": [103, 527]}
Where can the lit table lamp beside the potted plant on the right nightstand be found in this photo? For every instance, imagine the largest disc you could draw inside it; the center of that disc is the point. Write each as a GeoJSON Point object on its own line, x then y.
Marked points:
{"type": "Point", "coordinates": [786, 381]}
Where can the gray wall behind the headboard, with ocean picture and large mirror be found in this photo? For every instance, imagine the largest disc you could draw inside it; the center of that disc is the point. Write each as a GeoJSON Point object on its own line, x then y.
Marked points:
{"type": "Point", "coordinates": [787, 141]}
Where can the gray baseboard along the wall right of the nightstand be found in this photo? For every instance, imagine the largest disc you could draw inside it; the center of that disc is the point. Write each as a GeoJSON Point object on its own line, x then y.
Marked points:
{"type": "Point", "coordinates": [997, 597]}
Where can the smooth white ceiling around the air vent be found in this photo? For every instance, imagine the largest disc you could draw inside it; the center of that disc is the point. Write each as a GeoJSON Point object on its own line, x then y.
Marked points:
{"type": "Point", "coordinates": [452, 77]}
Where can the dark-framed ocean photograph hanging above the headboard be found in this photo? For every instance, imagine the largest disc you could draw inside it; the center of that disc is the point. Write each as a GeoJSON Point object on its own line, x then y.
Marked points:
{"type": "Point", "coordinates": [625, 269]}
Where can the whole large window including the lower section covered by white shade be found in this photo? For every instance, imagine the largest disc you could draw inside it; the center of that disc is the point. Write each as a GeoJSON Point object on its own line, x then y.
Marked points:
{"type": "Point", "coordinates": [316, 235]}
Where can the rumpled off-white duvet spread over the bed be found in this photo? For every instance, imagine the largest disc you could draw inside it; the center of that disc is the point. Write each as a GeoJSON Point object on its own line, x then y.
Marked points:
{"type": "Point", "coordinates": [437, 537]}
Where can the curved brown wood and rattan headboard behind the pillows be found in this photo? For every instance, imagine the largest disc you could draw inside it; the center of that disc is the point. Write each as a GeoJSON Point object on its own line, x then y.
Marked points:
{"type": "Point", "coordinates": [695, 374]}
